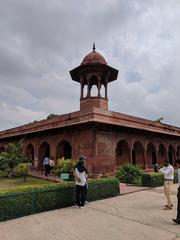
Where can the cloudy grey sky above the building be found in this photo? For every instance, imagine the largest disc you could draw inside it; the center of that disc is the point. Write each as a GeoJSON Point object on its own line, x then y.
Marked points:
{"type": "Point", "coordinates": [42, 40]}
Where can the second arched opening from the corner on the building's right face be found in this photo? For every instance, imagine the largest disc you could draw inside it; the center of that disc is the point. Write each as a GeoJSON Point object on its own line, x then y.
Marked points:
{"type": "Point", "coordinates": [138, 154]}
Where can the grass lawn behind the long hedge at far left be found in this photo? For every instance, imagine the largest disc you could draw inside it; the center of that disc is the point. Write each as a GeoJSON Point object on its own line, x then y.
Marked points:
{"type": "Point", "coordinates": [13, 182]}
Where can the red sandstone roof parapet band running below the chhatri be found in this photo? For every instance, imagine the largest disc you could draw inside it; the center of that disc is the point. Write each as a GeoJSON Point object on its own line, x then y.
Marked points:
{"type": "Point", "coordinates": [96, 115]}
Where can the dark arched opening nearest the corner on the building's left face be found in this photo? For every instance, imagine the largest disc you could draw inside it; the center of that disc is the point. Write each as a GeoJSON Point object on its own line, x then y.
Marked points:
{"type": "Point", "coordinates": [64, 149]}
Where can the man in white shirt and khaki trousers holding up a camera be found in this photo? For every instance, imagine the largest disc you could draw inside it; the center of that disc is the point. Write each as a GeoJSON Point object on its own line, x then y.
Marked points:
{"type": "Point", "coordinates": [168, 172]}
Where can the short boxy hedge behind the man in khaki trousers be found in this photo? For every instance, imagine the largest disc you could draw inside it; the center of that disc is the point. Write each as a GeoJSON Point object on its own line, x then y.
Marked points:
{"type": "Point", "coordinates": [155, 179]}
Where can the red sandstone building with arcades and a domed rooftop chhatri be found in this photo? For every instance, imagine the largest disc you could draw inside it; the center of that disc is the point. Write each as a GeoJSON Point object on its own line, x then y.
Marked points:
{"type": "Point", "coordinates": [108, 139]}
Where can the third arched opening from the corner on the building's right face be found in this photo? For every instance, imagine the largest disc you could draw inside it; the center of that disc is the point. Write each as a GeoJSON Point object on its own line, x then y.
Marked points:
{"type": "Point", "coordinates": [151, 157]}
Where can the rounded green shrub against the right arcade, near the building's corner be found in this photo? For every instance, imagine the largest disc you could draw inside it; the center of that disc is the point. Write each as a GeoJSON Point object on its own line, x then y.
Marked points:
{"type": "Point", "coordinates": [129, 173]}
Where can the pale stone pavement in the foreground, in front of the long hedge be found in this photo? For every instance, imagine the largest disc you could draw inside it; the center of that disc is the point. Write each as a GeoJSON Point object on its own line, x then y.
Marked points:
{"type": "Point", "coordinates": [134, 216]}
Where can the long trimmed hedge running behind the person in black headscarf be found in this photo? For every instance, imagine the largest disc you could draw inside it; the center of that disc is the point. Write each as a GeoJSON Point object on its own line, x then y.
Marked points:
{"type": "Point", "coordinates": [27, 200]}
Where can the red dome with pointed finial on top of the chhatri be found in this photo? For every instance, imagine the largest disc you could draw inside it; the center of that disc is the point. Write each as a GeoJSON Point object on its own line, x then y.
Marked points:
{"type": "Point", "coordinates": [94, 58]}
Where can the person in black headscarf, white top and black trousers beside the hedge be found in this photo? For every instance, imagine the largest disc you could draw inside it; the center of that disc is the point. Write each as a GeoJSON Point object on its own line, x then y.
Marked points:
{"type": "Point", "coordinates": [80, 178]}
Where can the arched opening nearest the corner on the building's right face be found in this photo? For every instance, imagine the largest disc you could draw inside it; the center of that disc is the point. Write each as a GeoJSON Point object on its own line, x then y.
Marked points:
{"type": "Point", "coordinates": [122, 153]}
